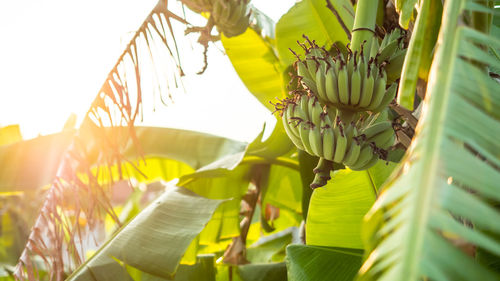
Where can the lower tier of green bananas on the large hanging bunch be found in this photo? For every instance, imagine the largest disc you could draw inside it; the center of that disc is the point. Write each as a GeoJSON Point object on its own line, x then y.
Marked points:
{"type": "Point", "coordinates": [320, 132]}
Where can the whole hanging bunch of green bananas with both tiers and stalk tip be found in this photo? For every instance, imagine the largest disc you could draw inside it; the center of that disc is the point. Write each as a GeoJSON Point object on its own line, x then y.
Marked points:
{"type": "Point", "coordinates": [338, 111]}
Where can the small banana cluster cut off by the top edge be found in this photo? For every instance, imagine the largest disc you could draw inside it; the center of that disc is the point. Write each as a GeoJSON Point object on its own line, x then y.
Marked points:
{"type": "Point", "coordinates": [231, 17]}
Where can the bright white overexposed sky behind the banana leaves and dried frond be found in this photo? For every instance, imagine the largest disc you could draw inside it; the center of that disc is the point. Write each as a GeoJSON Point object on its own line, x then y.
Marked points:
{"type": "Point", "coordinates": [55, 55]}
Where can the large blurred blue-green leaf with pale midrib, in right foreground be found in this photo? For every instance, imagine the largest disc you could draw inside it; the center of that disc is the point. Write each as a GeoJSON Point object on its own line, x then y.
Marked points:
{"type": "Point", "coordinates": [442, 203]}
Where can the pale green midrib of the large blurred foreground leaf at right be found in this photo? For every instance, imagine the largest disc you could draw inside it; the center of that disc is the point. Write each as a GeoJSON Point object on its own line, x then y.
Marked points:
{"type": "Point", "coordinates": [434, 138]}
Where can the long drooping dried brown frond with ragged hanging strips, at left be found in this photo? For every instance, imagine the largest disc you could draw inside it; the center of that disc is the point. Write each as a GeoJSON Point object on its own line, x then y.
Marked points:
{"type": "Point", "coordinates": [77, 200]}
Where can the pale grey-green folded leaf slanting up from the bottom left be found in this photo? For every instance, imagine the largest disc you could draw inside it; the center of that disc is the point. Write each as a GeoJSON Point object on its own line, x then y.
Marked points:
{"type": "Point", "coordinates": [154, 241]}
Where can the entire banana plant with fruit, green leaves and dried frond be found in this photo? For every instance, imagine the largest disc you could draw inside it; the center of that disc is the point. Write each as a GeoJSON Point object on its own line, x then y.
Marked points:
{"type": "Point", "coordinates": [428, 215]}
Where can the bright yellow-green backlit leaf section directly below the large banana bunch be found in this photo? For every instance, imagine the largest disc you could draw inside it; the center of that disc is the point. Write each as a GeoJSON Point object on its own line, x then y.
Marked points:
{"type": "Point", "coordinates": [336, 211]}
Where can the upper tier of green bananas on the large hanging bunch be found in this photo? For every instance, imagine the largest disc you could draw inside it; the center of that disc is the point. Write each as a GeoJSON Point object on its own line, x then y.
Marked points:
{"type": "Point", "coordinates": [354, 83]}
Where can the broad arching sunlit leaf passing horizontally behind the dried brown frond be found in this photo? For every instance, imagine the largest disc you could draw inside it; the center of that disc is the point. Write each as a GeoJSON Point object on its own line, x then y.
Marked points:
{"type": "Point", "coordinates": [31, 164]}
